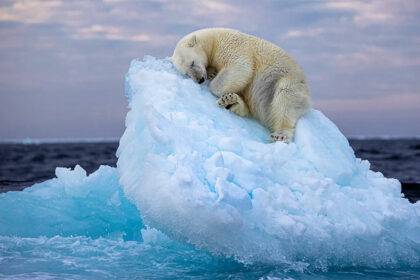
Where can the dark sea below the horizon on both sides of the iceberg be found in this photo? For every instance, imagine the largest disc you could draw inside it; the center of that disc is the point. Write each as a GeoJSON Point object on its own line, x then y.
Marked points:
{"type": "Point", "coordinates": [23, 165]}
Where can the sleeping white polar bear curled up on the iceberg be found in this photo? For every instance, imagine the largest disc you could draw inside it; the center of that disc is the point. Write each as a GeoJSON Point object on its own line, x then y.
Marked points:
{"type": "Point", "coordinates": [251, 77]}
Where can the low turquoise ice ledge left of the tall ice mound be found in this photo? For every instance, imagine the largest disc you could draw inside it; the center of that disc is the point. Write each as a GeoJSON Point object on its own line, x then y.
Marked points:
{"type": "Point", "coordinates": [72, 204]}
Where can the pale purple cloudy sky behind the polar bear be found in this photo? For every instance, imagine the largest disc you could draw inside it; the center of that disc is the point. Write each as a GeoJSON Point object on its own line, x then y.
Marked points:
{"type": "Point", "coordinates": [62, 63]}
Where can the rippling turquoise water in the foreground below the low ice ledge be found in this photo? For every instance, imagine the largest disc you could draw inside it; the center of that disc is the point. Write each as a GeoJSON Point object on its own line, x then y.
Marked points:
{"type": "Point", "coordinates": [80, 257]}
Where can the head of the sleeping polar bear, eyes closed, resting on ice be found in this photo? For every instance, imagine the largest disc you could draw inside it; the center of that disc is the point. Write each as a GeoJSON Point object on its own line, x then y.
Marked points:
{"type": "Point", "coordinates": [190, 58]}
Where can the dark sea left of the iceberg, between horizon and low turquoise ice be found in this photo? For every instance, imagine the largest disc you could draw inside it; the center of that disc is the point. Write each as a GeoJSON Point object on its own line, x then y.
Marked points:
{"type": "Point", "coordinates": [22, 165]}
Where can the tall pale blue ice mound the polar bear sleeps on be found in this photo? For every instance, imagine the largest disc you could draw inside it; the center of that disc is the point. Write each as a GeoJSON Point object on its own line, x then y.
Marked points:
{"type": "Point", "coordinates": [205, 176]}
